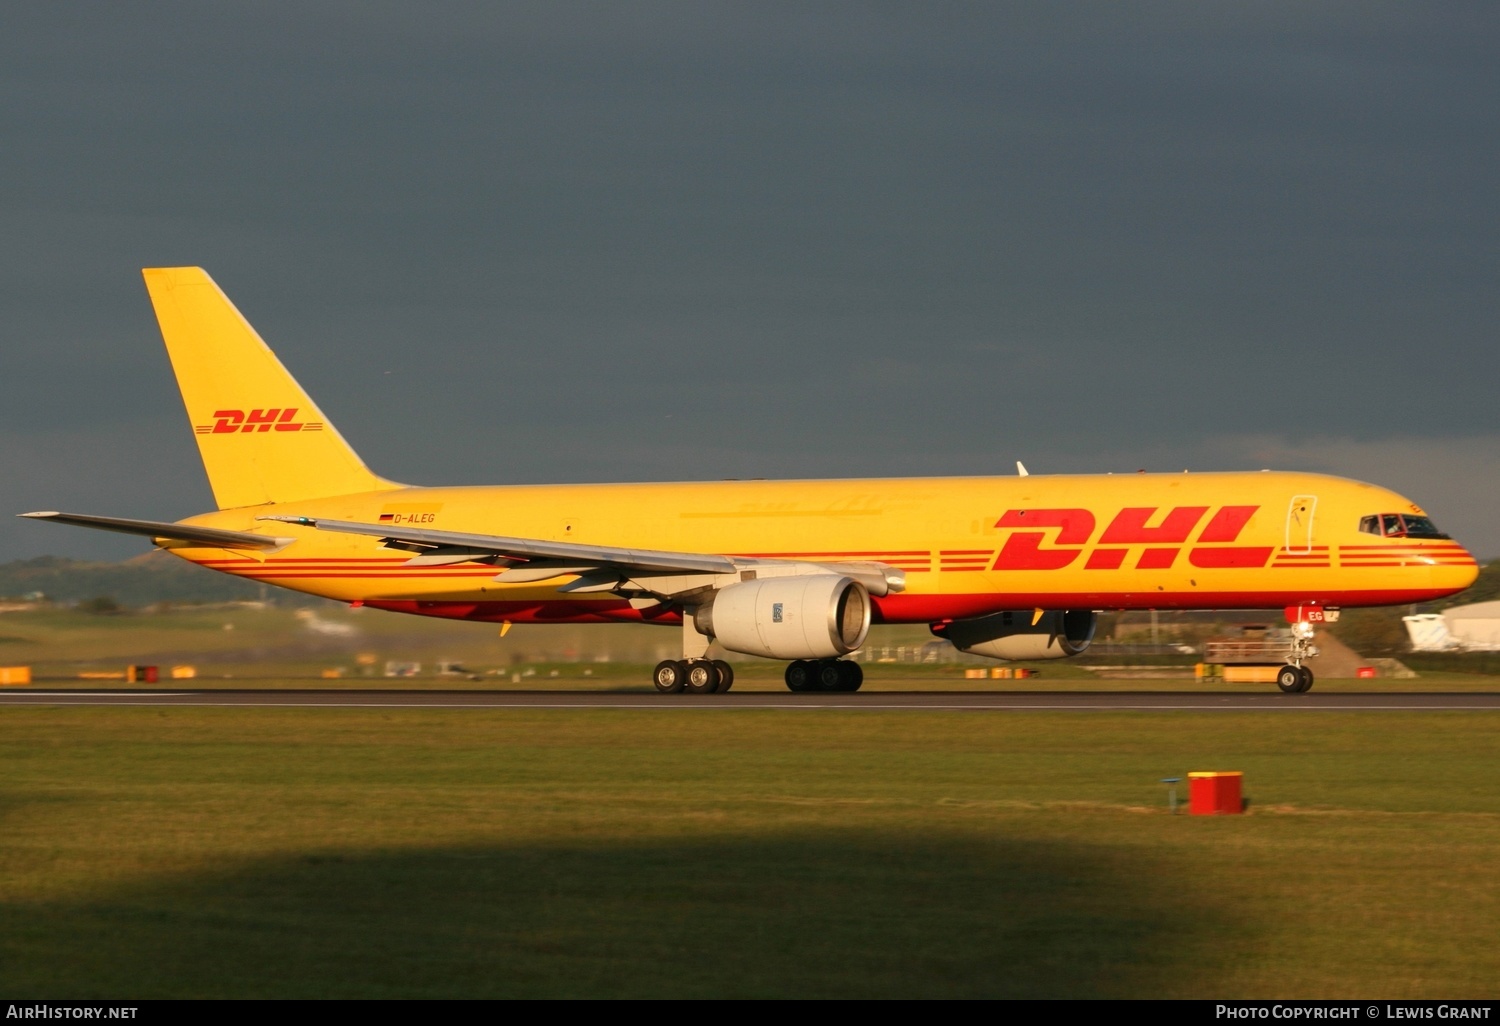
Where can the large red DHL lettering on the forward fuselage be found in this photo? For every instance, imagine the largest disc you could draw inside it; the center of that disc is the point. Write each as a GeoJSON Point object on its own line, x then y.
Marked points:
{"type": "Point", "coordinates": [1133, 526]}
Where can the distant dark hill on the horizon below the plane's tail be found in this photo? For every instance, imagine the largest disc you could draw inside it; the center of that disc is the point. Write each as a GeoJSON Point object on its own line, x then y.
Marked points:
{"type": "Point", "coordinates": [142, 581]}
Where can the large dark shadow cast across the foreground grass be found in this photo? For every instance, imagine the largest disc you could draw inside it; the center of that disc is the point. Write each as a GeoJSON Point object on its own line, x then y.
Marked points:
{"type": "Point", "coordinates": [833, 914]}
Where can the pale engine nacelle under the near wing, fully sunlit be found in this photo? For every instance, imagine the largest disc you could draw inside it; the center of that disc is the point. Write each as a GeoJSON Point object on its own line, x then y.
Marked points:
{"type": "Point", "coordinates": [814, 616]}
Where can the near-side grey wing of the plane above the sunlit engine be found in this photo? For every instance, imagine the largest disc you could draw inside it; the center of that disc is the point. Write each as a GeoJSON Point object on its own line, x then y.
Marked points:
{"type": "Point", "coordinates": [601, 568]}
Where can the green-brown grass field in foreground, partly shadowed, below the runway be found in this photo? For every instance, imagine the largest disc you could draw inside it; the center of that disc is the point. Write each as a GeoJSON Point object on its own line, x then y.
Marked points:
{"type": "Point", "coordinates": [677, 853]}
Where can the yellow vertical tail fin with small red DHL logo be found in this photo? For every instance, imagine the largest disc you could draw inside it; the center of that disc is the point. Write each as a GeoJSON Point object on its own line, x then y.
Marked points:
{"type": "Point", "coordinates": [262, 439]}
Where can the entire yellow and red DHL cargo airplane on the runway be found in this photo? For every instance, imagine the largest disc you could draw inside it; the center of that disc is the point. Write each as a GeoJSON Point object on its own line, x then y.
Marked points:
{"type": "Point", "coordinates": [1004, 568]}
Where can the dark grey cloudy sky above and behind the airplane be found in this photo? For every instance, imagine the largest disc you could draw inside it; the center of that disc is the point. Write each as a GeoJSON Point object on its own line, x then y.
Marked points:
{"type": "Point", "coordinates": [565, 242]}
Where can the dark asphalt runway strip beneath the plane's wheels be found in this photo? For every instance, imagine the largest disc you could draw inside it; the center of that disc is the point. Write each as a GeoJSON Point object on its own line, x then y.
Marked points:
{"type": "Point", "coordinates": [872, 701]}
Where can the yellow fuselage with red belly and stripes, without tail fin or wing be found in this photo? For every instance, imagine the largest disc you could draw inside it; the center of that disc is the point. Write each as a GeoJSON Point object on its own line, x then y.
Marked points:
{"type": "Point", "coordinates": [968, 545]}
